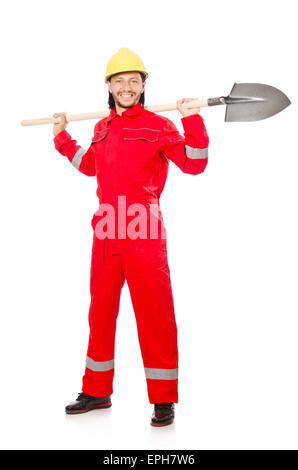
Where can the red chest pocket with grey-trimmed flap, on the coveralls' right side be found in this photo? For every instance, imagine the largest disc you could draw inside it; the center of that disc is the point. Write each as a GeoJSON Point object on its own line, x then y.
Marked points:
{"type": "Point", "coordinates": [140, 145]}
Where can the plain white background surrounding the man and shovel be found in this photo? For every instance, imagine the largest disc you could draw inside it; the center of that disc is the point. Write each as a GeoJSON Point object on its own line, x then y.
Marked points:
{"type": "Point", "coordinates": [232, 231]}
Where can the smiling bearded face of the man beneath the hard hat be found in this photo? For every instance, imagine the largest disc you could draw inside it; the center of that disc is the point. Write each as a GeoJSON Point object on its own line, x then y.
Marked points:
{"type": "Point", "coordinates": [126, 88]}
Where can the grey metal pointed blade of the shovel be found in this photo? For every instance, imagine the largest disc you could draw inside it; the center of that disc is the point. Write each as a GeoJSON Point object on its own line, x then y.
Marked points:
{"type": "Point", "coordinates": [253, 102]}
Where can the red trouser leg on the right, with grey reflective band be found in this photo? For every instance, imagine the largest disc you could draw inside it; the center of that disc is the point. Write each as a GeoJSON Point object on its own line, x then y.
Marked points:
{"type": "Point", "coordinates": [148, 277]}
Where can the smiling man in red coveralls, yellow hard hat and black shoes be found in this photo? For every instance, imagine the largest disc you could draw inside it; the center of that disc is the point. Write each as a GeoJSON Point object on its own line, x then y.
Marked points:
{"type": "Point", "coordinates": [129, 155]}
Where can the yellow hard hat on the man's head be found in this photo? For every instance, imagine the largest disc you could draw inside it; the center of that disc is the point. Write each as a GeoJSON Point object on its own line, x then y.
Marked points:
{"type": "Point", "coordinates": [125, 61]}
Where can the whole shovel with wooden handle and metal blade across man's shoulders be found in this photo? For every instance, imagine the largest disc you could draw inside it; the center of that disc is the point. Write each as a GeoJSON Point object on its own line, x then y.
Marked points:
{"type": "Point", "coordinates": [246, 102]}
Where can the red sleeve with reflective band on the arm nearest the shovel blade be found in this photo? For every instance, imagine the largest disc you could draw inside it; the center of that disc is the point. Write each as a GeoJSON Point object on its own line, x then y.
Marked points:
{"type": "Point", "coordinates": [189, 153]}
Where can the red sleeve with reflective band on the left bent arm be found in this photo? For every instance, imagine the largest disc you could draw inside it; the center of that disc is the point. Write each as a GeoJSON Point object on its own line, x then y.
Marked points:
{"type": "Point", "coordinates": [83, 160]}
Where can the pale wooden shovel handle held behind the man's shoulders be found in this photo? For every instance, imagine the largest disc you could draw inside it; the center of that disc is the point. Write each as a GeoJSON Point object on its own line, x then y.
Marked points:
{"type": "Point", "coordinates": [101, 114]}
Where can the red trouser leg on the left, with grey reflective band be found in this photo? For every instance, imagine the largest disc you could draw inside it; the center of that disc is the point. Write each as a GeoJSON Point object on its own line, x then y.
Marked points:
{"type": "Point", "coordinates": [106, 282]}
